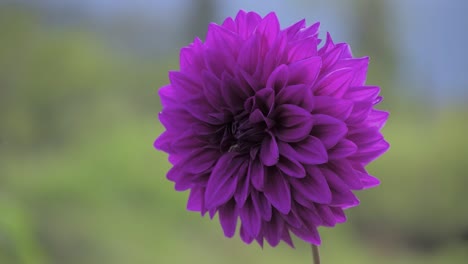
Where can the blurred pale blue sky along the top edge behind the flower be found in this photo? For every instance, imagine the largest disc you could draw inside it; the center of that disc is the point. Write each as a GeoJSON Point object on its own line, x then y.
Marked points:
{"type": "Point", "coordinates": [430, 36]}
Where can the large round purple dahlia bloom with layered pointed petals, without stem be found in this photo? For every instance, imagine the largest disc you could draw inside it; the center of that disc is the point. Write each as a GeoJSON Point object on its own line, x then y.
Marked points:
{"type": "Point", "coordinates": [264, 126]}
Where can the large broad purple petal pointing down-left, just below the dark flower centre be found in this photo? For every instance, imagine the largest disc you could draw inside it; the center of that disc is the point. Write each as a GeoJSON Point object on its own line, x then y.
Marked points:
{"type": "Point", "coordinates": [223, 180]}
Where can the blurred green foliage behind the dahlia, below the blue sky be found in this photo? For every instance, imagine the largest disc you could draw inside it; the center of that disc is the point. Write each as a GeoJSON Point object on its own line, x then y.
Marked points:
{"type": "Point", "coordinates": [81, 183]}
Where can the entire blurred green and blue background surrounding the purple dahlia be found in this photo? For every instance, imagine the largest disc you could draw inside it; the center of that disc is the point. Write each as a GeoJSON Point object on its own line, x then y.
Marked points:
{"type": "Point", "coordinates": [81, 183]}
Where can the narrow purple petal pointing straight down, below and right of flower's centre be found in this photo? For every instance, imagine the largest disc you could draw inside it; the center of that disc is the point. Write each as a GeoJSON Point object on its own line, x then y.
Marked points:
{"type": "Point", "coordinates": [277, 191]}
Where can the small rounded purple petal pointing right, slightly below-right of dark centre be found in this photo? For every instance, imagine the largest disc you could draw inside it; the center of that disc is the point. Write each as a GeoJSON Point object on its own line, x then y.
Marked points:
{"type": "Point", "coordinates": [310, 151]}
